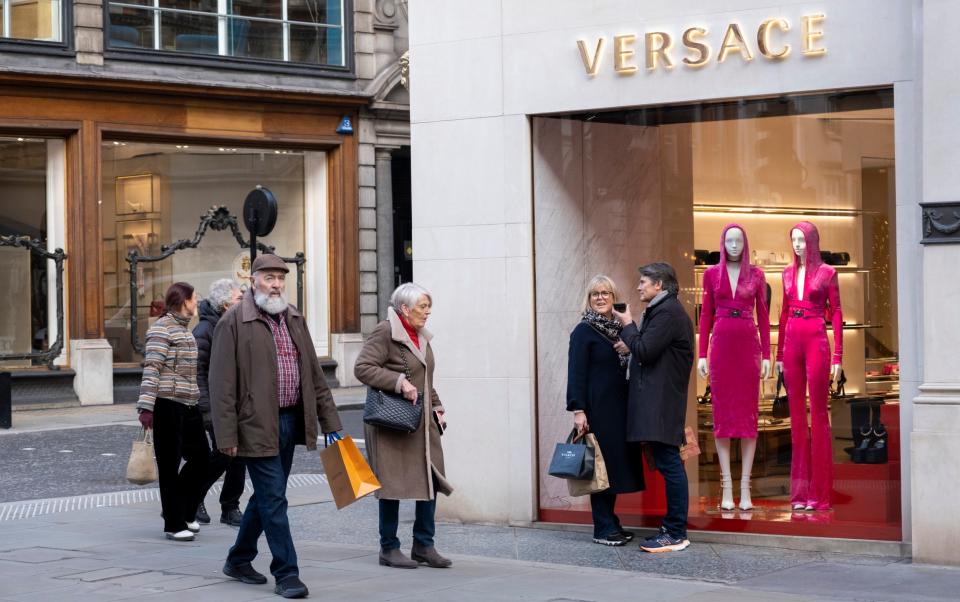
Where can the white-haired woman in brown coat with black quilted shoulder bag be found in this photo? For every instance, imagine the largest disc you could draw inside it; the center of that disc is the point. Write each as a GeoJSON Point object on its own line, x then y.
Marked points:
{"type": "Point", "coordinates": [397, 358]}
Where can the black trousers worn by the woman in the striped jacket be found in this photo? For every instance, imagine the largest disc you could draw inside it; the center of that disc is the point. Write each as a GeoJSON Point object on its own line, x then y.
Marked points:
{"type": "Point", "coordinates": [178, 433]}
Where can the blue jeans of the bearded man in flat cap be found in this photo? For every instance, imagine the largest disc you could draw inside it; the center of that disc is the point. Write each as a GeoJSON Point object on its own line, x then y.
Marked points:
{"type": "Point", "coordinates": [267, 509]}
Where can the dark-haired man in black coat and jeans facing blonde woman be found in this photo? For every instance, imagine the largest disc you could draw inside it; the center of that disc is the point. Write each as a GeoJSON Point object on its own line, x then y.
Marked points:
{"type": "Point", "coordinates": [662, 351]}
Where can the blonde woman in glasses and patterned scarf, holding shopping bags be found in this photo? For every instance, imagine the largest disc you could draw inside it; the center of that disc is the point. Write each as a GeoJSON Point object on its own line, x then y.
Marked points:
{"type": "Point", "coordinates": [597, 392]}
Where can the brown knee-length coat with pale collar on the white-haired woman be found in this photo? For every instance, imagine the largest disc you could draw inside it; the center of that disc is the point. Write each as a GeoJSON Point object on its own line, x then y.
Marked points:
{"type": "Point", "coordinates": [403, 462]}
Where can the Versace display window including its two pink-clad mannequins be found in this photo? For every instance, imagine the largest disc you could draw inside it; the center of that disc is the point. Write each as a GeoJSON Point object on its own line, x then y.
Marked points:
{"type": "Point", "coordinates": [618, 189]}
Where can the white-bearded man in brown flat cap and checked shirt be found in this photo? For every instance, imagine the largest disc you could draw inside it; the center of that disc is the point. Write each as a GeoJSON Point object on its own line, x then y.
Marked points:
{"type": "Point", "coordinates": [267, 394]}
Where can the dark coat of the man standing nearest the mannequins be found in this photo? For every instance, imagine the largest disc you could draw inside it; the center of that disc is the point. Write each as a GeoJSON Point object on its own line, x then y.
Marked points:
{"type": "Point", "coordinates": [660, 365]}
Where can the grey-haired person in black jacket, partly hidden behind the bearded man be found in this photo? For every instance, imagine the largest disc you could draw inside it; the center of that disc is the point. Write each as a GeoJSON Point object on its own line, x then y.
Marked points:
{"type": "Point", "coordinates": [224, 293]}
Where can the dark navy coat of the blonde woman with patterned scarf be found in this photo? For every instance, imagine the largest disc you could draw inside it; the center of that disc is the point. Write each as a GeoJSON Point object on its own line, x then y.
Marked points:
{"type": "Point", "coordinates": [597, 385]}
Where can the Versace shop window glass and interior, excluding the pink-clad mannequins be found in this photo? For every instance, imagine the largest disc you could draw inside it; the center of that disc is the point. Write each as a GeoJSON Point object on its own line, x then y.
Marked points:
{"type": "Point", "coordinates": [614, 190]}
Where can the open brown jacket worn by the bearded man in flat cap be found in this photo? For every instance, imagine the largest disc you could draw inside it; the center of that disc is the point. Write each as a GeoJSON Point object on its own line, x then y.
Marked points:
{"type": "Point", "coordinates": [243, 383]}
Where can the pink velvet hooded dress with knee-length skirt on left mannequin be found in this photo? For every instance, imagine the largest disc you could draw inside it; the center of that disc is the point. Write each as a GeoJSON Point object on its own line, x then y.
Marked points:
{"type": "Point", "coordinates": [735, 350]}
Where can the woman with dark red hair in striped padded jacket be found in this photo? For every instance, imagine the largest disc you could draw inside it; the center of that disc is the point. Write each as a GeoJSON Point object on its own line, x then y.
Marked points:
{"type": "Point", "coordinates": [168, 405]}
